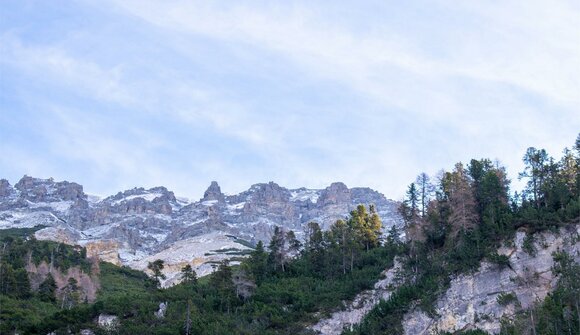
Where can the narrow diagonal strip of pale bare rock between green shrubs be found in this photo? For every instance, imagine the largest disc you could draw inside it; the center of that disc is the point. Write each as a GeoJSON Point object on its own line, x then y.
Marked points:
{"type": "Point", "coordinates": [360, 306]}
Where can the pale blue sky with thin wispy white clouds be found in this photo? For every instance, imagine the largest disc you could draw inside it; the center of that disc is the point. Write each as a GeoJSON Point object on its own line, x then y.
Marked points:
{"type": "Point", "coordinates": [116, 94]}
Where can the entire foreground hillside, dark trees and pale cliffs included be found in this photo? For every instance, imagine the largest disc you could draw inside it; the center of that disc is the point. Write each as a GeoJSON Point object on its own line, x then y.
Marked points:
{"type": "Point", "coordinates": [476, 259]}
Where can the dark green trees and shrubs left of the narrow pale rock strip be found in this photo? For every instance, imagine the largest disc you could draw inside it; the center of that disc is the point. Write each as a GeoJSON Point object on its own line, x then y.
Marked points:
{"type": "Point", "coordinates": [276, 292]}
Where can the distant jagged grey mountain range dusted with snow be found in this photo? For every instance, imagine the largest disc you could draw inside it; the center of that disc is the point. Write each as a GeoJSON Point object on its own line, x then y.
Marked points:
{"type": "Point", "coordinates": [133, 226]}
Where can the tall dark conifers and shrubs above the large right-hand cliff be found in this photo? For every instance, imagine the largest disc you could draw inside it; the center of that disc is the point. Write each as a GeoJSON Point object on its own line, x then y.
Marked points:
{"type": "Point", "coordinates": [453, 224]}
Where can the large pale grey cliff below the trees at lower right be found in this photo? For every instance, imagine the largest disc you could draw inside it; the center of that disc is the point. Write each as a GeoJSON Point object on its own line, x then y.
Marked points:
{"type": "Point", "coordinates": [471, 301]}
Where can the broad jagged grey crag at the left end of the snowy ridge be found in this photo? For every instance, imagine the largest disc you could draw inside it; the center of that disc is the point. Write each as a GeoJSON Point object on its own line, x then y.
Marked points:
{"type": "Point", "coordinates": [47, 190]}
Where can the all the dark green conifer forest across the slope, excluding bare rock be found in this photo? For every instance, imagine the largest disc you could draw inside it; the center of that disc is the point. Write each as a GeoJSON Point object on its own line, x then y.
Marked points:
{"type": "Point", "coordinates": [453, 221]}
